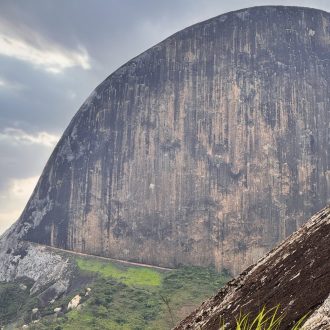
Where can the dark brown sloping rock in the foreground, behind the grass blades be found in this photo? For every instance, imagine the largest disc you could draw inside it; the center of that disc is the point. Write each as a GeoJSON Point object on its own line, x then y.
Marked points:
{"type": "Point", "coordinates": [296, 276]}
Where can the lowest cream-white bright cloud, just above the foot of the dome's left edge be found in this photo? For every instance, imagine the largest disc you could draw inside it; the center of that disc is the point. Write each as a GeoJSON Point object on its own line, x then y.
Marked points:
{"type": "Point", "coordinates": [13, 201]}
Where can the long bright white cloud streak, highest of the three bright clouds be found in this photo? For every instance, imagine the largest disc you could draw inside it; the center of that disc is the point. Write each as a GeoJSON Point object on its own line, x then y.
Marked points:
{"type": "Point", "coordinates": [47, 56]}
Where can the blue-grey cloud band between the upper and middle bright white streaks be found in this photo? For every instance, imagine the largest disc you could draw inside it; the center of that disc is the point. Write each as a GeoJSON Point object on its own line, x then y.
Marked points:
{"type": "Point", "coordinates": [43, 102]}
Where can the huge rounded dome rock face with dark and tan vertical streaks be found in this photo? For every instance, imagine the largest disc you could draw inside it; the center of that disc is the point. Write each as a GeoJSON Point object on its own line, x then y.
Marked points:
{"type": "Point", "coordinates": [207, 149]}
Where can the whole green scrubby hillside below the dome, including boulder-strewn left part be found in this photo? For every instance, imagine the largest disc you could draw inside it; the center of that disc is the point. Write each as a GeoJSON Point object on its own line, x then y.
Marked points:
{"type": "Point", "coordinates": [114, 295]}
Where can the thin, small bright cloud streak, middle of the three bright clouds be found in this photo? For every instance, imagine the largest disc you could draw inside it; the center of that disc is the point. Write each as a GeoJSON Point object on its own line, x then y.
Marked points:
{"type": "Point", "coordinates": [18, 136]}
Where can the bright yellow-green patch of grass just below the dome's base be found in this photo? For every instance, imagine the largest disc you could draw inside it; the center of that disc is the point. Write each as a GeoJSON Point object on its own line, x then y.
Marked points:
{"type": "Point", "coordinates": [139, 276]}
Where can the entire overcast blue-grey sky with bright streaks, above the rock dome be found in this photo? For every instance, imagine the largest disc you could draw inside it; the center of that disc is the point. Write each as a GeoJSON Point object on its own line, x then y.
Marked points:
{"type": "Point", "coordinates": [54, 53]}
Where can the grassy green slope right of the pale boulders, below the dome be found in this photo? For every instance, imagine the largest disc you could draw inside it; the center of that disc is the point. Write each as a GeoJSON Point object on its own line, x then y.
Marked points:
{"type": "Point", "coordinates": [129, 297]}
